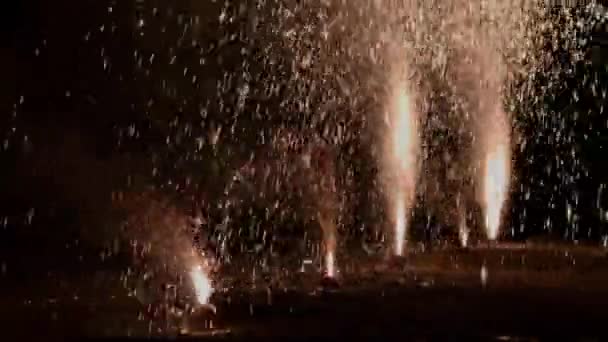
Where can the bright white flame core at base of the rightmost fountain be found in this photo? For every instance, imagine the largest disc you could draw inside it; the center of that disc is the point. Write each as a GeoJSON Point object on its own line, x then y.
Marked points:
{"type": "Point", "coordinates": [496, 182]}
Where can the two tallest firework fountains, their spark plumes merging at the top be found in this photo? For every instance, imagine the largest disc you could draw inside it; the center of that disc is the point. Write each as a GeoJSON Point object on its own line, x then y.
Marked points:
{"type": "Point", "coordinates": [473, 68]}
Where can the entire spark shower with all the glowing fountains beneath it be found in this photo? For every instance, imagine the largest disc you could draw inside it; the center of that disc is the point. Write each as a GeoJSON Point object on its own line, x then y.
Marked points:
{"type": "Point", "coordinates": [218, 99]}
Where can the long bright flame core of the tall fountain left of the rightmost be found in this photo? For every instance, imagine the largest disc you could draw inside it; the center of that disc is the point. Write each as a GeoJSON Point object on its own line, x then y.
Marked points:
{"type": "Point", "coordinates": [403, 159]}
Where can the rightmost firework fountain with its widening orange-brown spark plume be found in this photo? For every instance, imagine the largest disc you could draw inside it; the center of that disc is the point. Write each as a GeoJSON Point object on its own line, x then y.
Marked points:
{"type": "Point", "coordinates": [484, 60]}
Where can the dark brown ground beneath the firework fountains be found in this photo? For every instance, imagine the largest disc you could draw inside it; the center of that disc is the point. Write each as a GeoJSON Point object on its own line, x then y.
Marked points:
{"type": "Point", "coordinates": [531, 292]}
